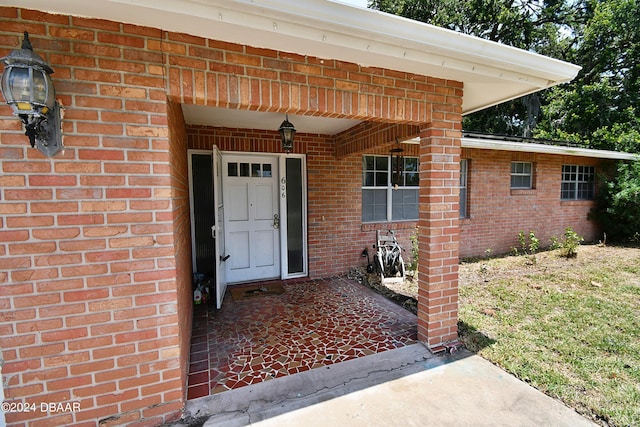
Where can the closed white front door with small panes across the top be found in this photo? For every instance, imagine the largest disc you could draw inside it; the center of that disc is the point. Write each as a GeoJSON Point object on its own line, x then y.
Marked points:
{"type": "Point", "coordinates": [252, 217]}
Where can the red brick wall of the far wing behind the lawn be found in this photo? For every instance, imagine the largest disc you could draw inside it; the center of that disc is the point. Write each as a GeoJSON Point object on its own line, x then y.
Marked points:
{"type": "Point", "coordinates": [497, 213]}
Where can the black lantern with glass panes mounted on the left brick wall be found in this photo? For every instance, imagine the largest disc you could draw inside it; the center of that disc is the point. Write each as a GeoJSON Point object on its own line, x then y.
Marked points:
{"type": "Point", "coordinates": [28, 89]}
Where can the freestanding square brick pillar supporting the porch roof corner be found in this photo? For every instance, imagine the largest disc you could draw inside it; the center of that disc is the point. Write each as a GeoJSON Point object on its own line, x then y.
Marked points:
{"type": "Point", "coordinates": [439, 234]}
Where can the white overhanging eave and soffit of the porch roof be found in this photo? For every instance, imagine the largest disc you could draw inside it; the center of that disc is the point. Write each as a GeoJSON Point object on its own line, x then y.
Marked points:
{"type": "Point", "coordinates": [492, 73]}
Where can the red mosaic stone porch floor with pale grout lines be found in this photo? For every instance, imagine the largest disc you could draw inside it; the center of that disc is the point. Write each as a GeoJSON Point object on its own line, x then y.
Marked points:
{"type": "Point", "coordinates": [305, 324]}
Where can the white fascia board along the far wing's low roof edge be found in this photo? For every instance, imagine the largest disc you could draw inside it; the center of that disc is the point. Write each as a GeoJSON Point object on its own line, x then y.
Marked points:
{"type": "Point", "coordinates": [488, 144]}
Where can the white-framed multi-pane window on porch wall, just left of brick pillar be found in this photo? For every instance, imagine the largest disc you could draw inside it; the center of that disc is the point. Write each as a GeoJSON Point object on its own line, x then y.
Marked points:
{"type": "Point", "coordinates": [382, 201]}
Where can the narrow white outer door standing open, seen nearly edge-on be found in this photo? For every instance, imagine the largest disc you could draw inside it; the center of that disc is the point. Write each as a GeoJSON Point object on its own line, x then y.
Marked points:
{"type": "Point", "coordinates": [217, 231]}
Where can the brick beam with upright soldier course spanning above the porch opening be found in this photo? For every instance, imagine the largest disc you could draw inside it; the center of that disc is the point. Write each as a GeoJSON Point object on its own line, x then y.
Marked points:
{"type": "Point", "coordinates": [249, 78]}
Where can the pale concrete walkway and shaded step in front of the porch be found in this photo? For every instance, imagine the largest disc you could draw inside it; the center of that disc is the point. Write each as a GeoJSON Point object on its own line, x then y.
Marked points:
{"type": "Point", "coordinates": [403, 387]}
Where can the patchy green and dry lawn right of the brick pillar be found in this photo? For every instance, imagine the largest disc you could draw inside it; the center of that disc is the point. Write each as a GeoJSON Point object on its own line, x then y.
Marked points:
{"type": "Point", "coordinates": [569, 327]}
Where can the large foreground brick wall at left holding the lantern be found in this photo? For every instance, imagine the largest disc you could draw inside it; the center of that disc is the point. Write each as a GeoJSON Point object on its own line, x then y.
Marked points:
{"type": "Point", "coordinates": [89, 268]}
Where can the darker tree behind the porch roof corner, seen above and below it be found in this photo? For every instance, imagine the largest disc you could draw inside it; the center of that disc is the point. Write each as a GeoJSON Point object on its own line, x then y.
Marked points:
{"type": "Point", "coordinates": [546, 27]}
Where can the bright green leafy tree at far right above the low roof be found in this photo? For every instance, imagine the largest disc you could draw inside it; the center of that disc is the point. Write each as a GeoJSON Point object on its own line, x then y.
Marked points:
{"type": "Point", "coordinates": [600, 108]}
